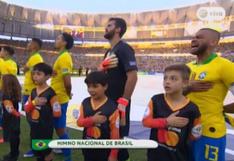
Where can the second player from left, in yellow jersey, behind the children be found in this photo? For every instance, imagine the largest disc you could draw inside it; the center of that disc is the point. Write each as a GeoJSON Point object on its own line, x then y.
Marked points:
{"type": "Point", "coordinates": [35, 58]}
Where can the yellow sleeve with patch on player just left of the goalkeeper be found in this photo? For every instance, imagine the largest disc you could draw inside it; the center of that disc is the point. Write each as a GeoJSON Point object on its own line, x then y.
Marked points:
{"type": "Point", "coordinates": [66, 65]}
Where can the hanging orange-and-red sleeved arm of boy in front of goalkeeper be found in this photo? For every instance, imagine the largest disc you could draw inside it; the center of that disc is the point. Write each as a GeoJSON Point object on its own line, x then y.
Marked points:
{"type": "Point", "coordinates": [114, 127]}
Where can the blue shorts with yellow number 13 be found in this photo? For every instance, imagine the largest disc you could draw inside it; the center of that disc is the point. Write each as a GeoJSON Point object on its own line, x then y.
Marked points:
{"type": "Point", "coordinates": [207, 149]}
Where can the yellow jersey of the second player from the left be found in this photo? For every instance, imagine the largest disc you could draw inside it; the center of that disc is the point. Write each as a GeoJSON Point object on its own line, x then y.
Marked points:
{"type": "Point", "coordinates": [34, 59]}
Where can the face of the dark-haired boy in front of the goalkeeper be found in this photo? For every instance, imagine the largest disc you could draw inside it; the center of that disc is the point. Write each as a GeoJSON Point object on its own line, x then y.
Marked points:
{"type": "Point", "coordinates": [96, 91]}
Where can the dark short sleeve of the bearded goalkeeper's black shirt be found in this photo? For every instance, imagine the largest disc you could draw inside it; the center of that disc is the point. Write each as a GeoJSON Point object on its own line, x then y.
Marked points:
{"type": "Point", "coordinates": [127, 58]}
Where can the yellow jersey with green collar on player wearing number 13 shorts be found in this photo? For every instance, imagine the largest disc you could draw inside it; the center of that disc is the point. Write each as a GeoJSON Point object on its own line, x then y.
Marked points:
{"type": "Point", "coordinates": [220, 72]}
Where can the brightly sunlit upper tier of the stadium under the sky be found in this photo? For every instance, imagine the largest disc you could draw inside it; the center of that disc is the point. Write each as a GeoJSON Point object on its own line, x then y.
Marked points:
{"type": "Point", "coordinates": [163, 24]}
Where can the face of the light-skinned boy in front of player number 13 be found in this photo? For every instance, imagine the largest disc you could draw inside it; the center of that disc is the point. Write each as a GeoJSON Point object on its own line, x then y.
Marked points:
{"type": "Point", "coordinates": [173, 82]}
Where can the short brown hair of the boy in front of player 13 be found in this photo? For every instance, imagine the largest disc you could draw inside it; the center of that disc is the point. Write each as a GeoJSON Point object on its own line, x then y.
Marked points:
{"type": "Point", "coordinates": [182, 68]}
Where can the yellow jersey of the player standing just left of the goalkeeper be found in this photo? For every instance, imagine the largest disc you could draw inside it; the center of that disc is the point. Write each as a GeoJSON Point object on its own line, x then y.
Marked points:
{"type": "Point", "coordinates": [62, 66]}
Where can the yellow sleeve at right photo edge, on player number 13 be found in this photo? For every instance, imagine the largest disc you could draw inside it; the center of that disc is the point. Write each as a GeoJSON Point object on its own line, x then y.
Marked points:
{"type": "Point", "coordinates": [227, 73]}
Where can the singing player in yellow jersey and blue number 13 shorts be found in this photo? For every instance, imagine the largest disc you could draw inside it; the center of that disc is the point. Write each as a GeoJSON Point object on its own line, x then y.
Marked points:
{"type": "Point", "coordinates": [212, 76]}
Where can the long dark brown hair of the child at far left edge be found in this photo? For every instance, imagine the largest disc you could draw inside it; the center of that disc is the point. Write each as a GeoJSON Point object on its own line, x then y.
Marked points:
{"type": "Point", "coordinates": [11, 87]}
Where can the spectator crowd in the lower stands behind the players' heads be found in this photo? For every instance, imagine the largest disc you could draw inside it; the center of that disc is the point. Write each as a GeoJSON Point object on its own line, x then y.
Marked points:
{"type": "Point", "coordinates": [147, 59]}
